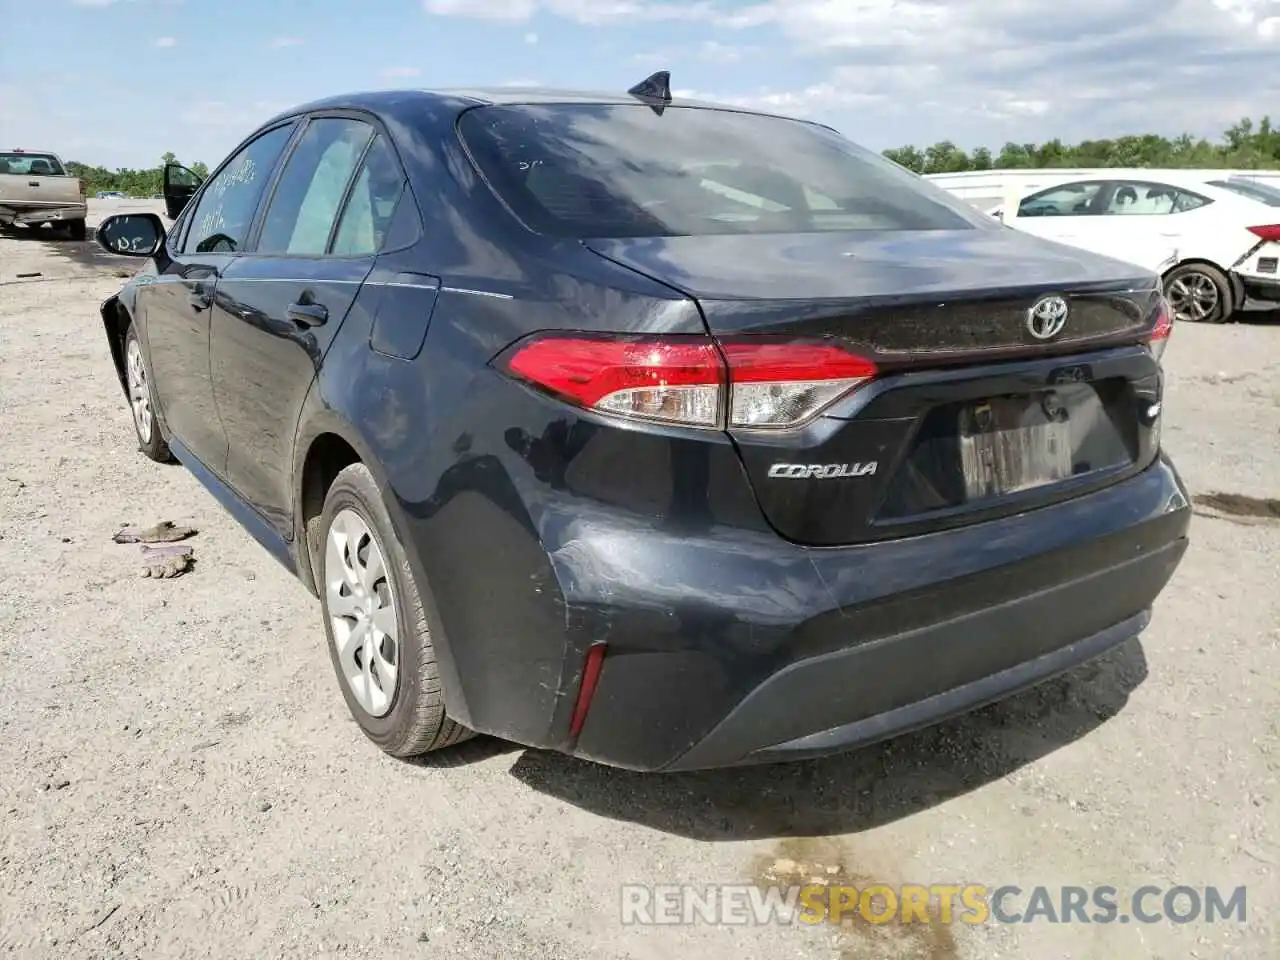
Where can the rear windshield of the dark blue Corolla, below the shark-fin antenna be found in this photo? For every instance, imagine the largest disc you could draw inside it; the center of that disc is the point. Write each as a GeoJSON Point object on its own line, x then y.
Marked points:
{"type": "Point", "coordinates": [625, 171]}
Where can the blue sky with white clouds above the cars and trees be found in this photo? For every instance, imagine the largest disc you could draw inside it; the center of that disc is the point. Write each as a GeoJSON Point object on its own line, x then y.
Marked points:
{"type": "Point", "coordinates": [118, 83]}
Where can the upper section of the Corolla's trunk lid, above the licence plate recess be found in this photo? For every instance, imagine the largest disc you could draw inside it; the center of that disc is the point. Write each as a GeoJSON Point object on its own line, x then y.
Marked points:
{"type": "Point", "coordinates": [903, 296]}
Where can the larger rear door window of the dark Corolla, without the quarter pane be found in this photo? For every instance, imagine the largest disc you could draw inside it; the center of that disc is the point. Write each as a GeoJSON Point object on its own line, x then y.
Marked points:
{"type": "Point", "coordinates": [312, 188]}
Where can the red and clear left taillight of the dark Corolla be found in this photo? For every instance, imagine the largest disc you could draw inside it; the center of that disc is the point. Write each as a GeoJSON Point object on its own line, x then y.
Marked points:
{"type": "Point", "coordinates": [689, 380]}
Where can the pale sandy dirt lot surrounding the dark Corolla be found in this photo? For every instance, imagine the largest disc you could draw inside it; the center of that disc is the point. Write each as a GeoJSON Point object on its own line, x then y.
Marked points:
{"type": "Point", "coordinates": [179, 776]}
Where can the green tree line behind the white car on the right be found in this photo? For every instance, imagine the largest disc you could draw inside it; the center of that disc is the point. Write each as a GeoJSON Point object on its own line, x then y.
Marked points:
{"type": "Point", "coordinates": [1244, 147]}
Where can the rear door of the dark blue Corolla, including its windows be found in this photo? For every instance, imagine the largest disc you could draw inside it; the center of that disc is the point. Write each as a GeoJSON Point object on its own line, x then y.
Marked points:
{"type": "Point", "coordinates": [281, 307]}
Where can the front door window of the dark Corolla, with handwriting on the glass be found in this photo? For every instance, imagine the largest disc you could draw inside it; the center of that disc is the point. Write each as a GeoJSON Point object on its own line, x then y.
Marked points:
{"type": "Point", "coordinates": [225, 212]}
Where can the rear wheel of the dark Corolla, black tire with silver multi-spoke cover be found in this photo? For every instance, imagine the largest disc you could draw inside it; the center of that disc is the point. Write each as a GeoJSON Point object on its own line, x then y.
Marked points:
{"type": "Point", "coordinates": [376, 624]}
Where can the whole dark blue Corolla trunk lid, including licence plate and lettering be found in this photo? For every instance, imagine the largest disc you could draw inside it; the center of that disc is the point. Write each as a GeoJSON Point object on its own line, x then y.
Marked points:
{"type": "Point", "coordinates": [972, 415]}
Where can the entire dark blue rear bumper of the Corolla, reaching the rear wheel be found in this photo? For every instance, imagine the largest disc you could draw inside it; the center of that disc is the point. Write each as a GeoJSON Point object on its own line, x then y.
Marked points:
{"type": "Point", "coordinates": [732, 647]}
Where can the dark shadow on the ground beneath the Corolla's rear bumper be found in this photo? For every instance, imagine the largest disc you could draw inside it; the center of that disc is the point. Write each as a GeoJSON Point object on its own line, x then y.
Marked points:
{"type": "Point", "coordinates": [845, 794]}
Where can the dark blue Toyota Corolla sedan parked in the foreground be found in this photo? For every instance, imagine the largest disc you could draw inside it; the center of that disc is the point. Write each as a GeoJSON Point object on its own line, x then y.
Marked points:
{"type": "Point", "coordinates": [664, 435]}
